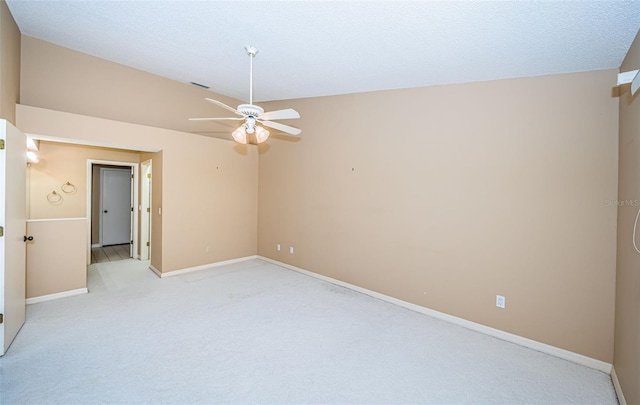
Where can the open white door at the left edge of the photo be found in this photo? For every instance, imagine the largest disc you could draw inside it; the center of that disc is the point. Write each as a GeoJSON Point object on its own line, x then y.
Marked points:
{"type": "Point", "coordinates": [13, 204]}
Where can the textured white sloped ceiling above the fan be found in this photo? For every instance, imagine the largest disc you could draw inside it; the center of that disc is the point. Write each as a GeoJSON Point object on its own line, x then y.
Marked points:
{"type": "Point", "coordinates": [316, 48]}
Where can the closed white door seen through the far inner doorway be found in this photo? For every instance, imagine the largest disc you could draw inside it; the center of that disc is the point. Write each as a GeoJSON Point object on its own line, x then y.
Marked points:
{"type": "Point", "coordinates": [115, 204]}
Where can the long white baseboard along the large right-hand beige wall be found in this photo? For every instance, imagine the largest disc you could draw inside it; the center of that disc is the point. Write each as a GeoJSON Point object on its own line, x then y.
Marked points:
{"type": "Point", "coordinates": [497, 333]}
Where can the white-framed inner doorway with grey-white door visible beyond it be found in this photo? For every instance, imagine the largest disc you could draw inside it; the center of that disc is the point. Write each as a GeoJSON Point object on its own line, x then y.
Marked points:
{"type": "Point", "coordinates": [112, 196]}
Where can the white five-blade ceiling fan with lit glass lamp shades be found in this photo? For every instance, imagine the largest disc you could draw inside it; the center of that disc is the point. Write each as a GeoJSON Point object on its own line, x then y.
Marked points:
{"type": "Point", "coordinates": [252, 115]}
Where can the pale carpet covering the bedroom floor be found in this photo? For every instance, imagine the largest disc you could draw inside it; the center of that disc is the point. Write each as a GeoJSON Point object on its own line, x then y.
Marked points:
{"type": "Point", "coordinates": [256, 333]}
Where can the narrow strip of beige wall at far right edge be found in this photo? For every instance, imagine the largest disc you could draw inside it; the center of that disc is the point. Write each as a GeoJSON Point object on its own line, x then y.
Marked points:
{"type": "Point", "coordinates": [627, 333]}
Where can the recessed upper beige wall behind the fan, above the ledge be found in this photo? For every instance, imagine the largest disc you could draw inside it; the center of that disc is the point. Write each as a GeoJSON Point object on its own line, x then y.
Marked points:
{"type": "Point", "coordinates": [61, 79]}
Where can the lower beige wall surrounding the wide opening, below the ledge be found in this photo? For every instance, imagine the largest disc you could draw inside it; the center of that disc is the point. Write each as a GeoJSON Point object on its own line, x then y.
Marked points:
{"type": "Point", "coordinates": [208, 186]}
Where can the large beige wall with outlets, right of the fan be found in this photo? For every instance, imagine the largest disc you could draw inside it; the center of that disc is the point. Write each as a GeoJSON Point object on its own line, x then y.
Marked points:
{"type": "Point", "coordinates": [446, 196]}
